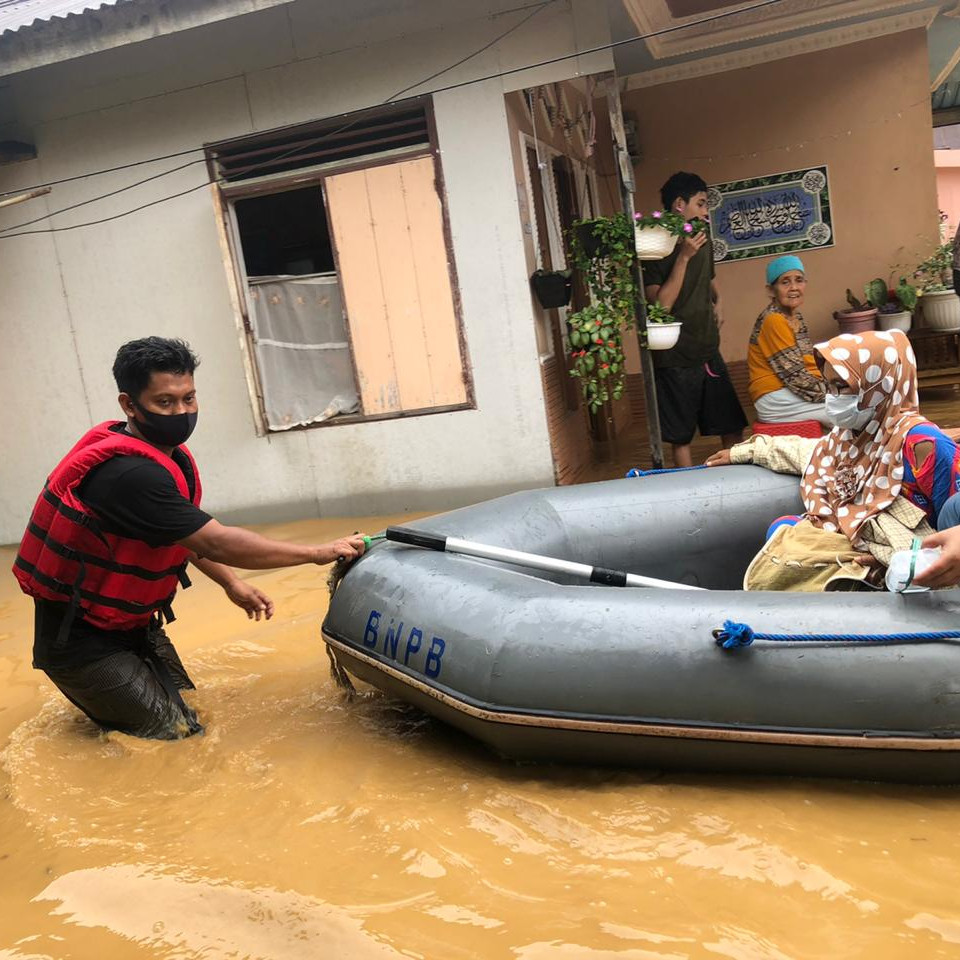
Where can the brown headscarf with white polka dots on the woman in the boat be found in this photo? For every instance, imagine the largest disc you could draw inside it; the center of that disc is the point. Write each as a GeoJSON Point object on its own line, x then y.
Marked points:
{"type": "Point", "coordinates": [854, 476]}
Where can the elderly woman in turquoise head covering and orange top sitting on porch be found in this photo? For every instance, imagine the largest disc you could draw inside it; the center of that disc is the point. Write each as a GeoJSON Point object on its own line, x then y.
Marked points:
{"type": "Point", "coordinates": [785, 384]}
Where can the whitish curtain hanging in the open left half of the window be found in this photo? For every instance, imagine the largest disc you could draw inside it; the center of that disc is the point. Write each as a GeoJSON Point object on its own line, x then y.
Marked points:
{"type": "Point", "coordinates": [302, 350]}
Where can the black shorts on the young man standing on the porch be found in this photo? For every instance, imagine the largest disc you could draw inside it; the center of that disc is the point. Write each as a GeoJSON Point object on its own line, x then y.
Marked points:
{"type": "Point", "coordinates": [701, 397]}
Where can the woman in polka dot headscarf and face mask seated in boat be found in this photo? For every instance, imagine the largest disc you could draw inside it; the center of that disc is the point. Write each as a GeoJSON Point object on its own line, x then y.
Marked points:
{"type": "Point", "coordinates": [881, 477]}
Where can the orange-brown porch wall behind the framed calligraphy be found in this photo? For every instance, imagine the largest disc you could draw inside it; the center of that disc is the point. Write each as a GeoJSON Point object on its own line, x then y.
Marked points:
{"type": "Point", "coordinates": [862, 109]}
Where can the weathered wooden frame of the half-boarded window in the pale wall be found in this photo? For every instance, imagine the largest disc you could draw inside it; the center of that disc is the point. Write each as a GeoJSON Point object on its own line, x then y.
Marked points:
{"type": "Point", "coordinates": [225, 194]}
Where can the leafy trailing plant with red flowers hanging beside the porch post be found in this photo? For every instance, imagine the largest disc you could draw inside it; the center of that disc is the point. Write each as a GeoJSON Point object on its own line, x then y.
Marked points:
{"type": "Point", "coordinates": [596, 332]}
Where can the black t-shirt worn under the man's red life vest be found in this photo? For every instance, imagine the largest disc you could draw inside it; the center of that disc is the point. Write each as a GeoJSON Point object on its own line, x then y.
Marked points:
{"type": "Point", "coordinates": [134, 497]}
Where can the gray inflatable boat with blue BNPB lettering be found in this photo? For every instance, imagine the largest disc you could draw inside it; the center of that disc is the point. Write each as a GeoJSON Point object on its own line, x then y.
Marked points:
{"type": "Point", "coordinates": [541, 666]}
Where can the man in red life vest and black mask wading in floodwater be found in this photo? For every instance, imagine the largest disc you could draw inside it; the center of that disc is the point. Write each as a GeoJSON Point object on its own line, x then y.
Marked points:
{"type": "Point", "coordinates": [110, 539]}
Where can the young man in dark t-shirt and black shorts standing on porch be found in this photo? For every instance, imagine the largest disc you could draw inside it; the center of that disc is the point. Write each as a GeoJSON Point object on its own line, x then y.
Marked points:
{"type": "Point", "coordinates": [693, 386]}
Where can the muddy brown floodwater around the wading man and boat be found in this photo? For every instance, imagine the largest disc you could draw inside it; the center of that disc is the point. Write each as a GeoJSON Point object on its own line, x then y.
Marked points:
{"type": "Point", "coordinates": [305, 826]}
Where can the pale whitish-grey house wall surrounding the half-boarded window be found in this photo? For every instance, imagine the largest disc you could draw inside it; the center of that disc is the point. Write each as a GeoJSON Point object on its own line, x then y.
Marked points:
{"type": "Point", "coordinates": [71, 298]}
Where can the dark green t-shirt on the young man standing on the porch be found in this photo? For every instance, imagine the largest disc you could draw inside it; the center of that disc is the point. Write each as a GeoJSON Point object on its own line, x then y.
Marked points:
{"type": "Point", "coordinates": [699, 336]}
